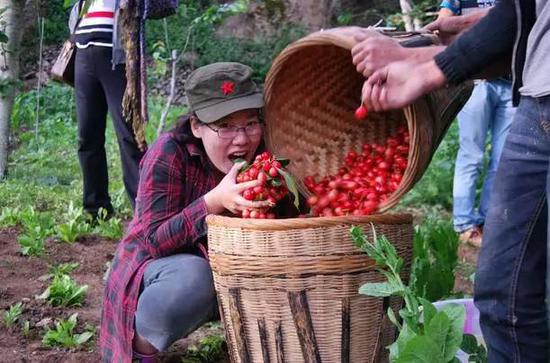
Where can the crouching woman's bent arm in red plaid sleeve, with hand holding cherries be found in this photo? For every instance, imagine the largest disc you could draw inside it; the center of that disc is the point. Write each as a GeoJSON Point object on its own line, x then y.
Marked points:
{"type": "Point", "coordinates": [168, 223]}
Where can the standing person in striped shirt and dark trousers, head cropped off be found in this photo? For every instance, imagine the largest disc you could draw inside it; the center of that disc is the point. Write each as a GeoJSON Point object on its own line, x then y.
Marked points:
{"type": "Point", "coordinates": [100, 82]}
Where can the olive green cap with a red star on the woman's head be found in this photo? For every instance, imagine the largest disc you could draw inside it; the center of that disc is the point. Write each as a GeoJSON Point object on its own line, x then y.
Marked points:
{"type": "Point", "coordinates": [219, 89]}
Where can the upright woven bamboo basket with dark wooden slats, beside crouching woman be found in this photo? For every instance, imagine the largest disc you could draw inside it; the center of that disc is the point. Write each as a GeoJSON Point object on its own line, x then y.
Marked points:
{"type": "Point", "coordinates": [288, 289]}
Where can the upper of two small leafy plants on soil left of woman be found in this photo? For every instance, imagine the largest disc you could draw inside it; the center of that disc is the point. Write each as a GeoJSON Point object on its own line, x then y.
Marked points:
{"type": "Point", "coordinates": [64, 291]}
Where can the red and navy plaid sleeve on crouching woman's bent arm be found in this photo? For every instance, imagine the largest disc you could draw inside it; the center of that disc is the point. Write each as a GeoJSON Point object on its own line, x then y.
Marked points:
{"type": "Point", "coordinates": [168, 223]}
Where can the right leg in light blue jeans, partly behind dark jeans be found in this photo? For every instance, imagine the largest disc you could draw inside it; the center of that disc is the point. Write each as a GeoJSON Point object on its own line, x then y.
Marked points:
{"type": "Point", "coordinates": [499, 127]}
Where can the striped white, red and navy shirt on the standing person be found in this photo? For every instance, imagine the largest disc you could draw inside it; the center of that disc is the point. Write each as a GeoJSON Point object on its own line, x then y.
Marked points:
{"type": "Point", "coordinates": [96, 26]}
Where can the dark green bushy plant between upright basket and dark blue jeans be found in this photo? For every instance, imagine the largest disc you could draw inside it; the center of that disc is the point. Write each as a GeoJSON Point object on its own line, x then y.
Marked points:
{"type": "Point", "coordinates": [435, 259]}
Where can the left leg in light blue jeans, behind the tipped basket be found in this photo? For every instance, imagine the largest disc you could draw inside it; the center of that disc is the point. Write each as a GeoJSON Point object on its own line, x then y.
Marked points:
{"type": "Point", "coordinates": [473, 123]}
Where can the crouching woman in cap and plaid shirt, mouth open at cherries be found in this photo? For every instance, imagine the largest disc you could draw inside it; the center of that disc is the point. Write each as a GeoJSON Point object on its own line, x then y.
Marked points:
{"type": "Point", "coordinates": [160, 287]}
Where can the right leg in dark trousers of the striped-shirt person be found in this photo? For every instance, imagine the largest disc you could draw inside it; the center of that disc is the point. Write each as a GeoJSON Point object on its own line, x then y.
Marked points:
{"type": "Point", "coordinates": [114, 84]}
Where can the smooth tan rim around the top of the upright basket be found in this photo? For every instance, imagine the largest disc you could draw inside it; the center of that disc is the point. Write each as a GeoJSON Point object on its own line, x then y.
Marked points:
{"type": "Point", "coordinates": [305, 223]}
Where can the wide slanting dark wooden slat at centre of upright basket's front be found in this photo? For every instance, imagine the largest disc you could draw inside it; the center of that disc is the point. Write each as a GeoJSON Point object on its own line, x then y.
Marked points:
{"type": "Point", "coordinates": [304, 326]}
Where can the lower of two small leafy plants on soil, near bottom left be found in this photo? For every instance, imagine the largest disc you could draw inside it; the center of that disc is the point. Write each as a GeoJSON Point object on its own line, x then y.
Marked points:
{"type": "Point", "coordinates": [64, 336]}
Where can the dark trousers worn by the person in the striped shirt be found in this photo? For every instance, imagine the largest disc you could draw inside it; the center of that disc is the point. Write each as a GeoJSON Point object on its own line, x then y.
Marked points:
{"type": "Point", "coordinates": [100, 88]}
